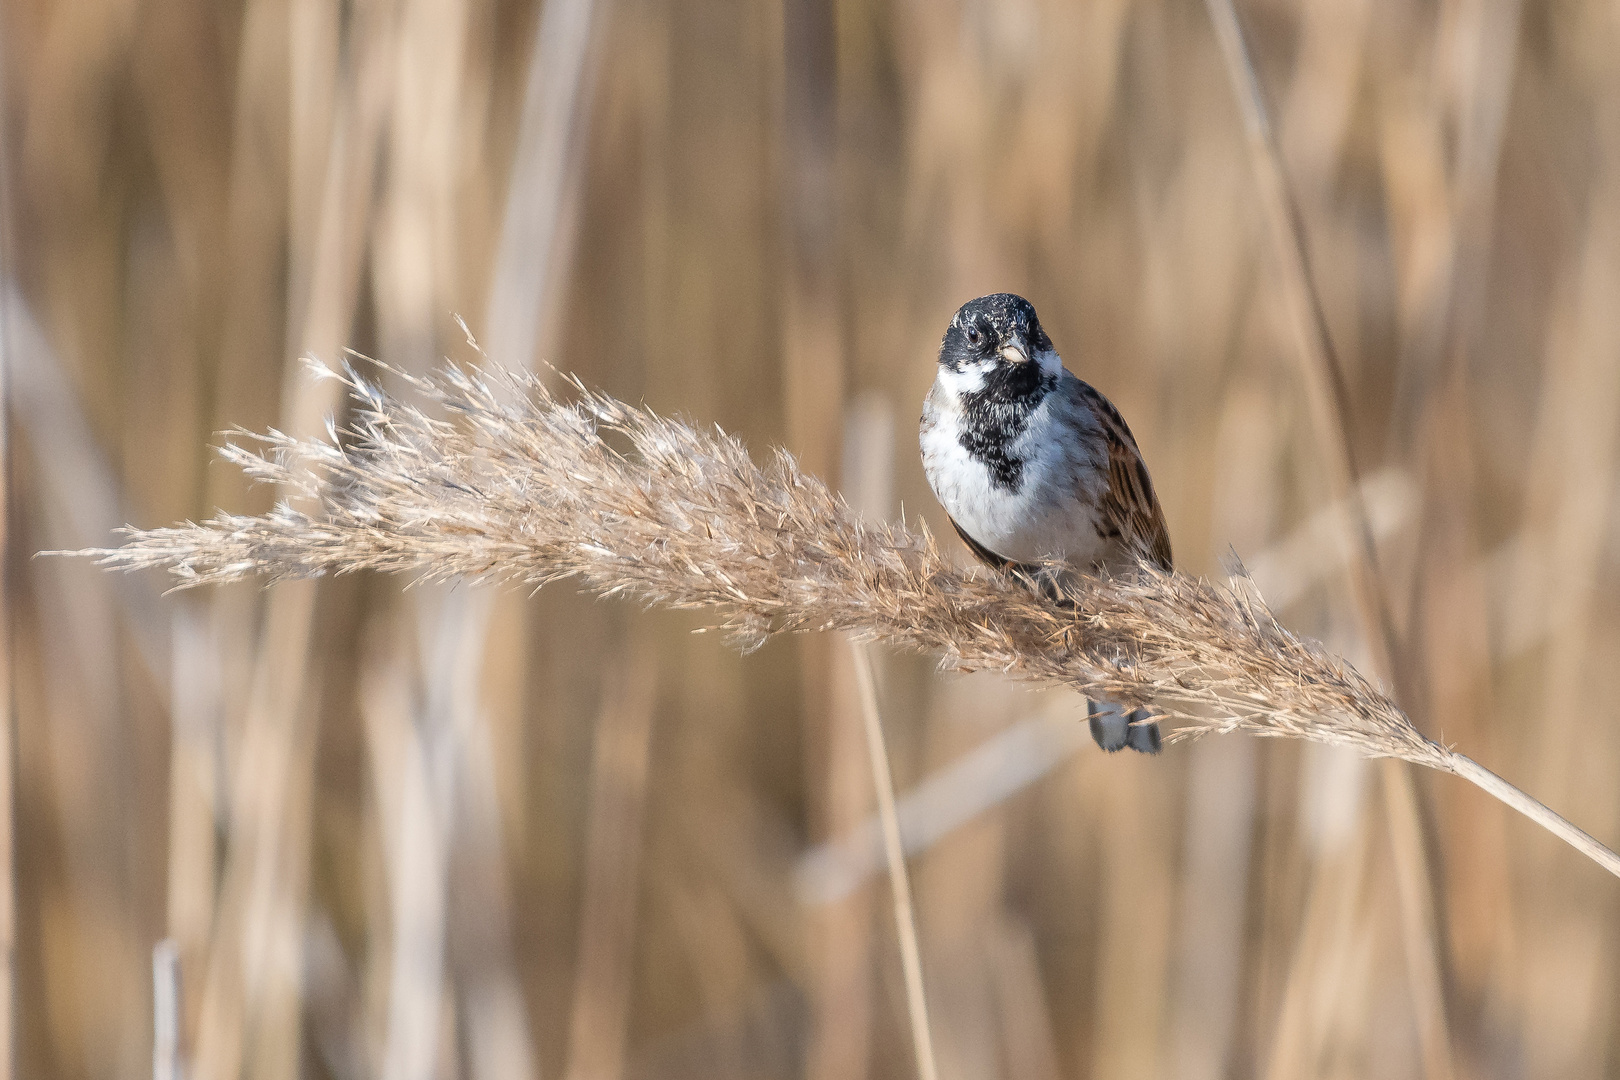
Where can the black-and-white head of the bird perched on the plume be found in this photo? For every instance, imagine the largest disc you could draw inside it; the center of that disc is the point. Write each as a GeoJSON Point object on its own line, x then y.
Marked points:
{"type": "Point", "coordinates": [995, 344]}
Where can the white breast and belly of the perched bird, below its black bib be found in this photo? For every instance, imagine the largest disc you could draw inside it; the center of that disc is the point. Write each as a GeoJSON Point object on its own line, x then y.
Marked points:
{"type": "Point", "coordinates": [1051, 512]}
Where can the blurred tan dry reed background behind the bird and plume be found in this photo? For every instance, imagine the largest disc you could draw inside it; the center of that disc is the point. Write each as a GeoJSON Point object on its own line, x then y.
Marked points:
{"type": "Point", "coordinates": [461, 833]}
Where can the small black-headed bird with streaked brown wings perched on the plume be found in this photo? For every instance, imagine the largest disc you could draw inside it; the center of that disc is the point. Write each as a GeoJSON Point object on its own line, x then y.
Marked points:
{"type": "Point", "coordinates": [1033, 464]}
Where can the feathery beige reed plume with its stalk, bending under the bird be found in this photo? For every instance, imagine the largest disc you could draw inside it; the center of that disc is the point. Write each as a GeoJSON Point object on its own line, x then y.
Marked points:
{"type": "Point", "coordinates": [516, 485]}
